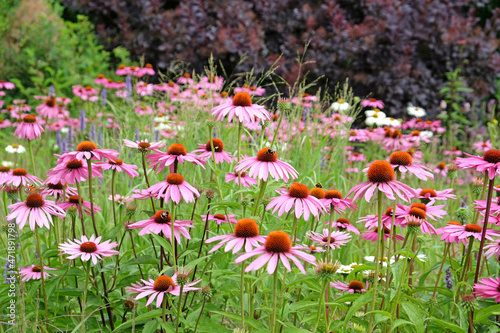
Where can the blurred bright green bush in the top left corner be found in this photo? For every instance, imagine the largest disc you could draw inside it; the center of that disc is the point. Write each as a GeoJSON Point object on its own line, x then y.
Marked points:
{"type": "Point", "coordinates": [39, 49]}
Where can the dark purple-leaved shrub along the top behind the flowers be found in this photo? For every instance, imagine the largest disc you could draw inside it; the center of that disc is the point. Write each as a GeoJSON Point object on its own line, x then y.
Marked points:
{"type": "Point", "coordinates": [399, 50]}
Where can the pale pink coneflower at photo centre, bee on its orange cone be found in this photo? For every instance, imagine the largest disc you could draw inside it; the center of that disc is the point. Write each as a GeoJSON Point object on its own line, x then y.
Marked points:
{"type": "Point", "coordinates": [266, 163]}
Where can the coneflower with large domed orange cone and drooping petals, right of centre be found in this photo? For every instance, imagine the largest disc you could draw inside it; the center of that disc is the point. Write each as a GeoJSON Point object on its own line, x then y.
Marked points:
{"type": "Point", "coordinates": [381, 176]}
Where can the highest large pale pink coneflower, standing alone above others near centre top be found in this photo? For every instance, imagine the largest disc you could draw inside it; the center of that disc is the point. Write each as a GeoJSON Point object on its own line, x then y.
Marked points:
{"type": "Point", "coordinates": [242, 108]}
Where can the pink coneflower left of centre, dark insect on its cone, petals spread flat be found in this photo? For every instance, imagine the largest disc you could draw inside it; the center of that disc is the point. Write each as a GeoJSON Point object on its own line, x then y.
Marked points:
{"type": "Point", "coordinates": [161, 221]}
